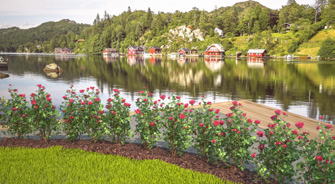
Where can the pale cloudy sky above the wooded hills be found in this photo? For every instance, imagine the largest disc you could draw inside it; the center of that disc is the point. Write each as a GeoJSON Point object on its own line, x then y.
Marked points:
{"type": "Point", "coordinates": [31, 13]}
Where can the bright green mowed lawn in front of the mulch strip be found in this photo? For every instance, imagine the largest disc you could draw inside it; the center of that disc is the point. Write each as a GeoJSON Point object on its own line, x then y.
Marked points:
{"type": "Point", "coordinates": [60, 165]}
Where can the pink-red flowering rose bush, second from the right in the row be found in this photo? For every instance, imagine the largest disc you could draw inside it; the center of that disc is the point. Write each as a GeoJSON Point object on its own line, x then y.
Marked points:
{"type": "Point", "coordinates": [278, 150]}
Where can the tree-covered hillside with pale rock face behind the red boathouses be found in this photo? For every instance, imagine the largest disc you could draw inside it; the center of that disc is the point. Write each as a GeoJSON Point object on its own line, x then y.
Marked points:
{"type": "Point", "coordinates": [240, 27]}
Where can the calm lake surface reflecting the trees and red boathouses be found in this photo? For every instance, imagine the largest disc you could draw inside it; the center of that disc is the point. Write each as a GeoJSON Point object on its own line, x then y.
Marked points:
{"type": "Point", "coordinates": [302, 87]}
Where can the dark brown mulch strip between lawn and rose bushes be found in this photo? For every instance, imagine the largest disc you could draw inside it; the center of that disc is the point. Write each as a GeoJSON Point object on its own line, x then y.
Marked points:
{"type": "Point", "coordinates": [136, 151]}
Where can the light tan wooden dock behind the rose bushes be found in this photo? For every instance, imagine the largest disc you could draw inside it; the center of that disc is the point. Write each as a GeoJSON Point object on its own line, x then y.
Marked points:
{"type": "Point", "coordinates": [263, 113]}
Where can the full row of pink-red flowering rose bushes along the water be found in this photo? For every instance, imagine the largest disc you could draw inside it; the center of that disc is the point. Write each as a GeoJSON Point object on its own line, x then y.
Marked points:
{"type": "Point", "coordinates": [180, 126]}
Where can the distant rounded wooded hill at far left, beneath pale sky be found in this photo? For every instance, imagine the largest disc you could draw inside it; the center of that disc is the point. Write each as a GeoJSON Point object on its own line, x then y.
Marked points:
{"type": "Point", "coordinates": [41, 38]}
